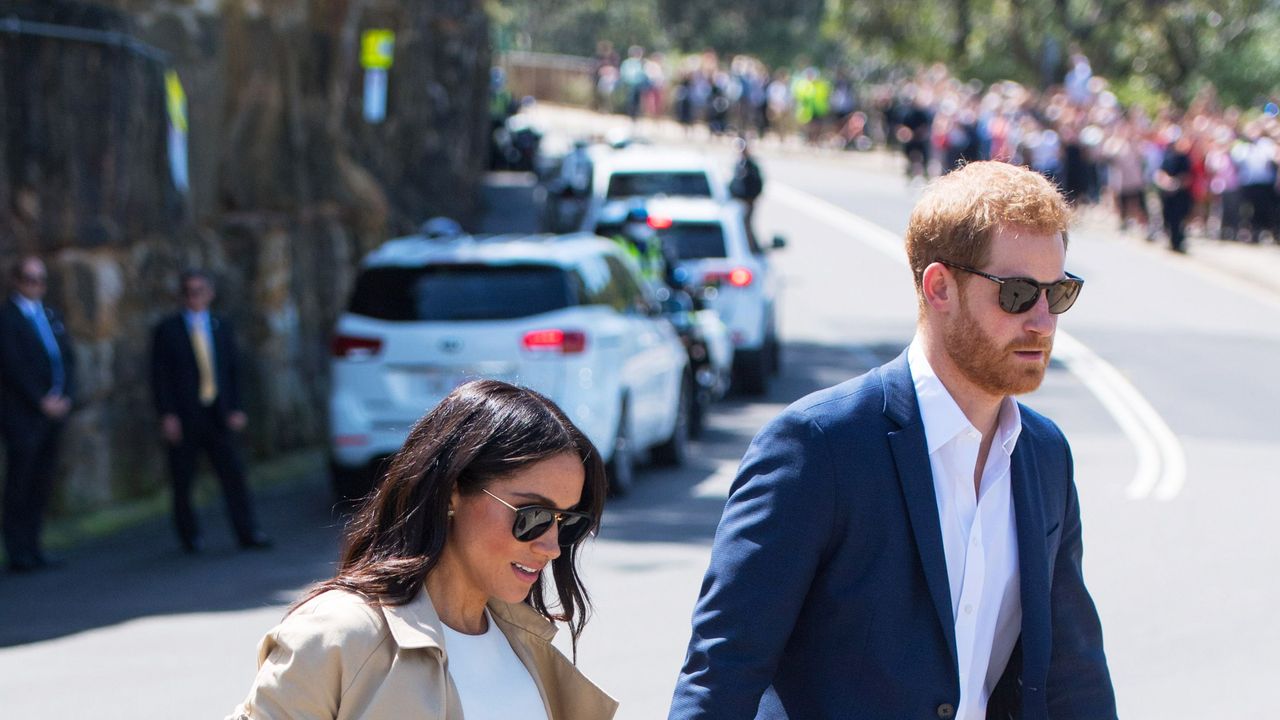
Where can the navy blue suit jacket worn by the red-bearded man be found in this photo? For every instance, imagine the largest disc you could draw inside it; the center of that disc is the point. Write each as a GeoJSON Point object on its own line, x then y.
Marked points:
{"type": "Point", "coordinates": [828, 594]}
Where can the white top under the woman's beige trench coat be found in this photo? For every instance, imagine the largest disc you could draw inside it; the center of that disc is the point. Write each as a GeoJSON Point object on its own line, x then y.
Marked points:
{"type": "Point", "coordinates": [492, 682]}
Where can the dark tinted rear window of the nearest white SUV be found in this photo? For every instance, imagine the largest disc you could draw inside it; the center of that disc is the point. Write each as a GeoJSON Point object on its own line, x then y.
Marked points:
{"type": "Point", "coordinates": [461, 293]}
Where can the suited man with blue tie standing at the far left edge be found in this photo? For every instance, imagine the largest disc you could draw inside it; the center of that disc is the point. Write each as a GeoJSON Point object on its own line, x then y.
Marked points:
{"type": "Point", "coordinates": [36, 382]}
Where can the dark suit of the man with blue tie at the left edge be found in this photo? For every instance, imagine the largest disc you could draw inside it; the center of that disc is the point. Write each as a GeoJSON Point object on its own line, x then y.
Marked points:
{"type": "Point", "coordinates": [31, 438]}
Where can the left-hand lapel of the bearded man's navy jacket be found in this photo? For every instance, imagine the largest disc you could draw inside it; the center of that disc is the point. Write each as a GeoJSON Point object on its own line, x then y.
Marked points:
{"type": "Point", "coordinates": [912, 459]}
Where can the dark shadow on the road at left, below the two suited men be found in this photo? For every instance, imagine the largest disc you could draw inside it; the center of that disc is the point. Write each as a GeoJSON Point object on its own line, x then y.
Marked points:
{"type": "Point", "coordinates": [141, 573]}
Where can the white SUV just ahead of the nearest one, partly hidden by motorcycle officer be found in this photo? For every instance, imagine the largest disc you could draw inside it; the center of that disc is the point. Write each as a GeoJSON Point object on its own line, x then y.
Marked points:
{"type": "Point", "coordinates": [712, 245]}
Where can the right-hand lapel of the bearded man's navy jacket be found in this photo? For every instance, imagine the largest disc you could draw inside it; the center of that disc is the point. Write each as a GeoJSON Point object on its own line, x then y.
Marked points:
{"type": "Point", "coordinates": [1032, 560]}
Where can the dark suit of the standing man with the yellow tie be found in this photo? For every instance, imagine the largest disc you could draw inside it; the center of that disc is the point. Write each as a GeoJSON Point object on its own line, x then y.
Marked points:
{"type": "Point", "coordinates": [176, 386]}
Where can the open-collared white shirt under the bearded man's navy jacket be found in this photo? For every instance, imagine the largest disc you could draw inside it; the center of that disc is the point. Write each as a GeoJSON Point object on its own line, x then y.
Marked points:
{"type": "Point", "coordinates": [979, 534]}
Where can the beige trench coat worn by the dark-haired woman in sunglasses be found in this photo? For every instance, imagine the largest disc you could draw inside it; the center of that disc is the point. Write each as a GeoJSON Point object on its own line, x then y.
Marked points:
{"type": "Point", "coordinates": [339, 658]}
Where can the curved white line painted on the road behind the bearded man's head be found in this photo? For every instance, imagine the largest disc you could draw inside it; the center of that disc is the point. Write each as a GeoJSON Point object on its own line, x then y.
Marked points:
{"type": "Point", "coordinates": [1162, 461]}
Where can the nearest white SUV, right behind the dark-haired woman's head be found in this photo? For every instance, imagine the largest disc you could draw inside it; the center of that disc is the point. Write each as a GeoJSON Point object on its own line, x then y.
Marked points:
{"type": "Point", "coordinates": [565, 316]}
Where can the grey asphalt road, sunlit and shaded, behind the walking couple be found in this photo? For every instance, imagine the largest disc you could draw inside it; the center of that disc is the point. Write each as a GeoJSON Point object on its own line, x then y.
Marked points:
{"type": "Point", "coordinates": [1177, 457]}
